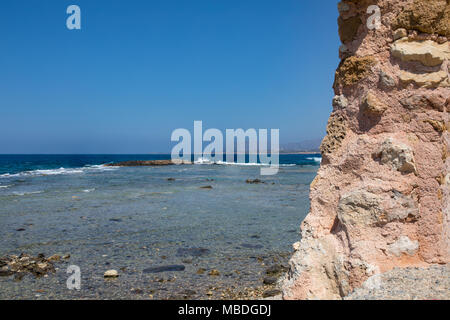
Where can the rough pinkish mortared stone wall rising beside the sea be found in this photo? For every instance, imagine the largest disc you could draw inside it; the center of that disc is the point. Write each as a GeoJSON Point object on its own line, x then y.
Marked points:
{"type": "Point", "coordinates": [381, 199]}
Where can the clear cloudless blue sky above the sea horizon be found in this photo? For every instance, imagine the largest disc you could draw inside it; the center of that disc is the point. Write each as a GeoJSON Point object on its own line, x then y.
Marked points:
{"type": "Point", "coordinates": [139, 69]}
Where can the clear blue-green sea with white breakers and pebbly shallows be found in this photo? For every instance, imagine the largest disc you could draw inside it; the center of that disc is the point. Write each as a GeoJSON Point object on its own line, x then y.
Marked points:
{"type": "Point", "coordinates": [139, 220]}
